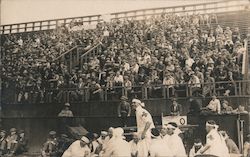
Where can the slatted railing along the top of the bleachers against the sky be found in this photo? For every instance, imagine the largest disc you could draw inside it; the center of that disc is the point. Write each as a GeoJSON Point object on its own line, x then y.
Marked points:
{"type": "Point", "coordinates": [201, 8]}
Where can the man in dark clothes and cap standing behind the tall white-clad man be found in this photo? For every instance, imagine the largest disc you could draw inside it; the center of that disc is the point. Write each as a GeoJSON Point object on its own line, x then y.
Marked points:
{"type": "Point", "coordinates": [124, 110]}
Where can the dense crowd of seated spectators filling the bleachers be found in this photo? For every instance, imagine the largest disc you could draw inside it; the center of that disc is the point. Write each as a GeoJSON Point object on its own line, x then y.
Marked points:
{"type": "Point", "coordinates": [179, 52]}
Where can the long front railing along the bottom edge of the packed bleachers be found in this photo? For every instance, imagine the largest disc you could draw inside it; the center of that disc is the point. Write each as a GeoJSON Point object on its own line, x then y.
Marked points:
{"type": "Point", "coordinates": [86, 94]}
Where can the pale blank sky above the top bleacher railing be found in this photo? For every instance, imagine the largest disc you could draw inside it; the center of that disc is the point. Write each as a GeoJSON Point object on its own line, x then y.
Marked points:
{"type": "Point", "coordinates": [17, 11]}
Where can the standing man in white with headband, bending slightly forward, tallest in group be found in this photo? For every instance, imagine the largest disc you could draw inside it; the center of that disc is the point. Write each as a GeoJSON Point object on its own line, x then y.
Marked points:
{"type": "Point", "coordinates": [144, 124]}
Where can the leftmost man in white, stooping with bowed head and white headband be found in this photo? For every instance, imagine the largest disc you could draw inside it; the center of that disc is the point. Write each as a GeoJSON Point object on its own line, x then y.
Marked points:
{"type": "Point", "coordinates": [78, 148]}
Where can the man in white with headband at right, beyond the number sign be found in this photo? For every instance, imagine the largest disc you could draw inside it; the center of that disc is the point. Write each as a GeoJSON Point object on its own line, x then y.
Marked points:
{"type": "Point", "coordinates": [215, 143]}
